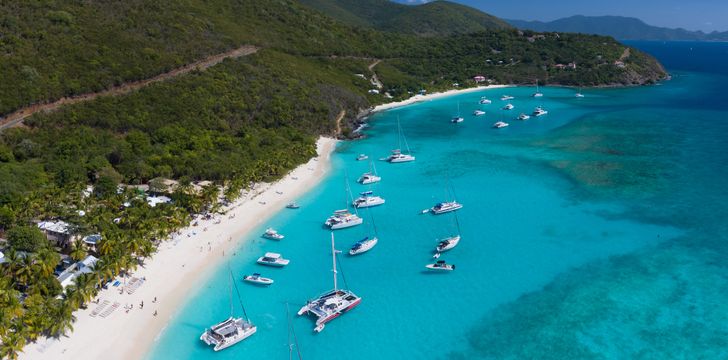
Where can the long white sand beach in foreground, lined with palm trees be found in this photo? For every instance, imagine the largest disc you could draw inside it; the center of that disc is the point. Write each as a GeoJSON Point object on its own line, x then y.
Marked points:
{"type": "Point", "coordinates": [174, 270]}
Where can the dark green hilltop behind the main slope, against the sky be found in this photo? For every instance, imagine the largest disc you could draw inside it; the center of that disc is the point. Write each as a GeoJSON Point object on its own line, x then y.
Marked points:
{"type": "Point", "coordinates": [429, 19]}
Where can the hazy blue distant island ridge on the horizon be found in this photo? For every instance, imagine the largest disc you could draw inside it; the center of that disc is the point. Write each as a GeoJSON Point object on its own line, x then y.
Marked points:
{"type": "Point", "coordinates": [619, 27]}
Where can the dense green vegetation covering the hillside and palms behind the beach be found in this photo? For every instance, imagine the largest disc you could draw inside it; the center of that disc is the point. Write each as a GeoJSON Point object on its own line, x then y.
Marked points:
{"type": "Point", "coordinates": [245, 120]}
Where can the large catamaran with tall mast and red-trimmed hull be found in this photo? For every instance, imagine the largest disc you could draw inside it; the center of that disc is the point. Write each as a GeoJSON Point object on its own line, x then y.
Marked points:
{"type": "Point", "coordinates": [331, 304]}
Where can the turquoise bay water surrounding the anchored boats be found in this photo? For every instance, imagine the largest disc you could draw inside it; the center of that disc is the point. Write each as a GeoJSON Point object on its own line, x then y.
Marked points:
{"type": "Point", "coordinates": [596, 231]}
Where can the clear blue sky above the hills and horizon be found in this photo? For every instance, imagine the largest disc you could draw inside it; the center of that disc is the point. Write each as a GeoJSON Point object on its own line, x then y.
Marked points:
{"type": "Point", "coordinates": [706, 15]}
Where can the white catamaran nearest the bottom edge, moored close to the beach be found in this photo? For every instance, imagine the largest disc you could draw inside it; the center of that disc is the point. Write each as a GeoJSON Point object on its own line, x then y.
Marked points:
{"type": "Point", "coordinates": [231, 331]}
